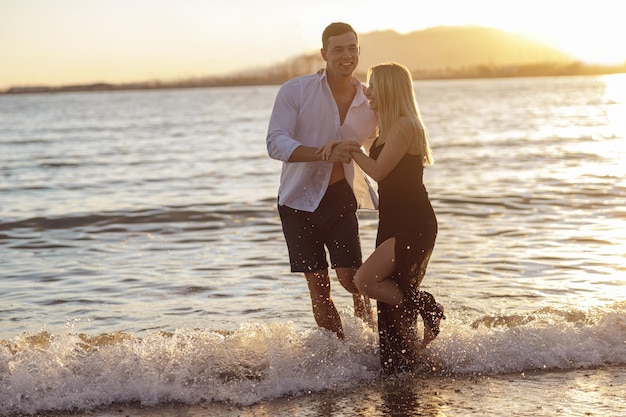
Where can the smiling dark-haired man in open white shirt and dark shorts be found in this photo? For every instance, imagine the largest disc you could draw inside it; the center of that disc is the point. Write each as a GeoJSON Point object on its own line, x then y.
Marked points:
{"type": "Point", "coordinates": [317, 199]}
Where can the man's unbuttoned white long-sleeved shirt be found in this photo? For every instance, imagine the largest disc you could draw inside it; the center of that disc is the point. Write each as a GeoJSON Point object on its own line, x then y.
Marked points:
{"type": "Point", "coordinates": [305, 113]}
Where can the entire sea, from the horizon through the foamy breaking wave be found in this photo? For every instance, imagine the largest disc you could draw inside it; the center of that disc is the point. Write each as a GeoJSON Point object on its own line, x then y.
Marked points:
{"type": "Point", "coordinates": [142, 258]}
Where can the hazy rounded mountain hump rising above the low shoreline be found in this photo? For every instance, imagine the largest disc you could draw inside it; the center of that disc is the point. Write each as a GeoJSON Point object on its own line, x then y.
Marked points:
{"type": "Point", "coordinates": [441, 50]}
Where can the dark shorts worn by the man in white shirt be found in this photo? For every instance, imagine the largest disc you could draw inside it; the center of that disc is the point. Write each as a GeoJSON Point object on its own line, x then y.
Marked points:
{"type": "Point", "coordinates": [334, 224]}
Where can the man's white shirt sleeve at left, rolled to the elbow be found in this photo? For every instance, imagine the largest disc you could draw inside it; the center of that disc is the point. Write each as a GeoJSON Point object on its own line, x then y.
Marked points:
{"type": "Point", "coordinates": [282, 125]}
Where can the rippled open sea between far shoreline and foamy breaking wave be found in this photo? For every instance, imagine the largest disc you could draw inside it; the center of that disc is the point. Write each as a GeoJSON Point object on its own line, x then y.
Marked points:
{"type": "Point", "coordinates": [128, 197]}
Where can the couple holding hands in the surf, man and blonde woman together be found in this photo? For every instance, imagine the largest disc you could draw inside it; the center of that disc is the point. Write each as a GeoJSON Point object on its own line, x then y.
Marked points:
{"type": "Point", "coordinates": [317, 127]}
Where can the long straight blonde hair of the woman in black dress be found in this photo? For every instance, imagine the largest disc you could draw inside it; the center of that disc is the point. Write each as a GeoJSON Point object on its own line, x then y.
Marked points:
{"type": "Point", "coordinates": [395, 96]}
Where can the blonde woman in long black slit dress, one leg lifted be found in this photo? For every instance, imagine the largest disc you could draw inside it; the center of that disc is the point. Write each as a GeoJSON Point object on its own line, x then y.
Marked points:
{"type": "Point", "coordinates": [407, 223]}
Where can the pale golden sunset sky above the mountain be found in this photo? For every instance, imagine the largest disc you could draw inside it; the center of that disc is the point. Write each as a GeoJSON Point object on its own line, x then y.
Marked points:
{"type": "Point", "coordinates": [56, 42]}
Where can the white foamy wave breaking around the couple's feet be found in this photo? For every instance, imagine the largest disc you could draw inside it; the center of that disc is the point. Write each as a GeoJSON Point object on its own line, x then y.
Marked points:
{"type": "Point", "coordinates": [45, 372]}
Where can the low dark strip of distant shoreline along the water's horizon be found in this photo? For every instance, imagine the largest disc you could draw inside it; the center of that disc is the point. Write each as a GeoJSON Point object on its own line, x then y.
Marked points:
{"type": "Point", "coordinates": [535, 70]}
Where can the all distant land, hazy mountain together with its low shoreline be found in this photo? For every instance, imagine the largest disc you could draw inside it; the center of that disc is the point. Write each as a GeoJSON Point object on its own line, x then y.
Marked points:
{"type": "Point", "coordinates": [440, 52]}
